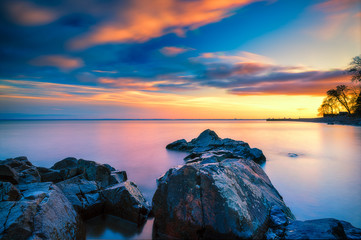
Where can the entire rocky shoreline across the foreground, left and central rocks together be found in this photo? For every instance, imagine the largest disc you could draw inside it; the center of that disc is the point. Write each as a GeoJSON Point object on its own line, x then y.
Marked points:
{"type": "Point", "coordinates": [221, 192]}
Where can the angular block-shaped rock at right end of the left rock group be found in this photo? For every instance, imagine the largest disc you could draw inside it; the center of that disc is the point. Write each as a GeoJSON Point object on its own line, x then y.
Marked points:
{"type": "Point", "coordinates": [126, 201]}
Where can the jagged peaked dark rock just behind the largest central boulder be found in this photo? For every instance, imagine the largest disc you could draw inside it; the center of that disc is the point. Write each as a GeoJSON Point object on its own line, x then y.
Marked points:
{"type": "Point", "coordinates": [208, 140]}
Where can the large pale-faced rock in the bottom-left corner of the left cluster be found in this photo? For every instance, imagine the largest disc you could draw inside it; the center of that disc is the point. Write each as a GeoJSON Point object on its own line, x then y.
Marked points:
{"type": "Point", "coordinates": [33, 216]}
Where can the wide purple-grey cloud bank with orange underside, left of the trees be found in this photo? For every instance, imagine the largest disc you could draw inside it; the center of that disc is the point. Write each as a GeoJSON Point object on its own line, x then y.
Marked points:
{"type": "Point", "coordinates": [244, 76]}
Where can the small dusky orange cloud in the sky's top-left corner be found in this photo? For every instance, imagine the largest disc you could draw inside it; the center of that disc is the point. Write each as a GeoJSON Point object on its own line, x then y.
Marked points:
{"type": "Point", "coordinates": [26, 13]}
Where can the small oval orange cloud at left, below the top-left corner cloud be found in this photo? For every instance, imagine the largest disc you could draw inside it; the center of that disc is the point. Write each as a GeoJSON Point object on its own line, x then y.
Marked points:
{"type": "Point", "coordinates": [62, 62]}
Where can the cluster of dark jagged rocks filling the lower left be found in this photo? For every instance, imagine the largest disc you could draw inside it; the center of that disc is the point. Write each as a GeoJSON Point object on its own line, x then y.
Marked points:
{"type": "Point", "coordinates": [52, 203]}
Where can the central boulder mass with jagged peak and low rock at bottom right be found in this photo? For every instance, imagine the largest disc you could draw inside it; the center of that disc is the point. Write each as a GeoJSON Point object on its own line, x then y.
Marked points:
{"type": "Point", "coordinates": [221, 194]}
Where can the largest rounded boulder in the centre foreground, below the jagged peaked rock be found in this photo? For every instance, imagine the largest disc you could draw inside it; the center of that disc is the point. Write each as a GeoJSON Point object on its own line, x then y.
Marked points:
{"type": "Point", "coordinates": [230, 199]}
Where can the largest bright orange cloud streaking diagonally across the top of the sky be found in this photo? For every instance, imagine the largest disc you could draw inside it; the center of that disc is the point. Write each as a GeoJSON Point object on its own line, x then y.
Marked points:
{"type": "Point", "coordinates": [149, 19]}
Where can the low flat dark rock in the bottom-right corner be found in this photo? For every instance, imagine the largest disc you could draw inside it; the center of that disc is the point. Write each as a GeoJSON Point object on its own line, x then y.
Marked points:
{"type": "Point", "coordinates": [327, 228]}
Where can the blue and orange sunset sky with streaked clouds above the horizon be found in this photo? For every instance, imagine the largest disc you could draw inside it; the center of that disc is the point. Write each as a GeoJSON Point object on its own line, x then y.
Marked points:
{"type": "Point", "coordinates": [173, 59]}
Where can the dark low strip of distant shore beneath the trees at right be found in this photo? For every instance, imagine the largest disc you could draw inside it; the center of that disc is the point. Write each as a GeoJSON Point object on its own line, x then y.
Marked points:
{"type": "Point", "coordinates": [338, 120]}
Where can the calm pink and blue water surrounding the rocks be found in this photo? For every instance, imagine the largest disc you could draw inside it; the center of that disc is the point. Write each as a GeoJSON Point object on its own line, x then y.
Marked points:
{"type": "Point", "coordinates": [324, 181]}
